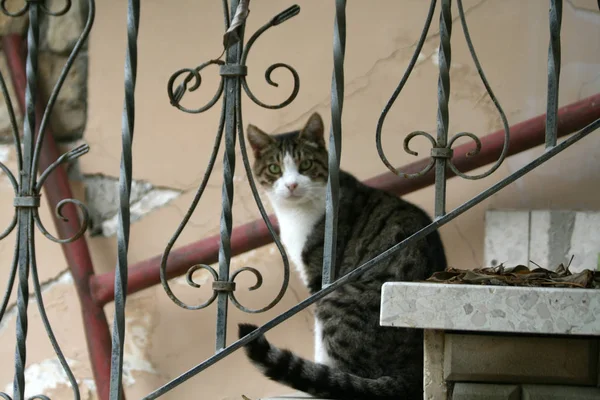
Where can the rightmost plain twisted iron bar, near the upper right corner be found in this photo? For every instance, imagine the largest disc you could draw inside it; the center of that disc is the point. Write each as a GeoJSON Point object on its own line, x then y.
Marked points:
{"type": "Point", "coordinates": [554, 60]}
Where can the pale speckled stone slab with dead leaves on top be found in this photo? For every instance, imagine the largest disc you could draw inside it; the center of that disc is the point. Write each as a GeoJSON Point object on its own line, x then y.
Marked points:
{"type": "Point", "coordinates": [491, 308]}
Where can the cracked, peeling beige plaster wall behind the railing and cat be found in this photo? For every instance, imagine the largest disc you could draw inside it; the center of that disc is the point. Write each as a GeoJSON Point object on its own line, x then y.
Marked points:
{"type": "Point", "coordinates": [171, 150]}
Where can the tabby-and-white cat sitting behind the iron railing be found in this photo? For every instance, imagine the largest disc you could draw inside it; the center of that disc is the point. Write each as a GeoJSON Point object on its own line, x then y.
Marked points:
{"type": "Point", "coordinates": [355, 358]}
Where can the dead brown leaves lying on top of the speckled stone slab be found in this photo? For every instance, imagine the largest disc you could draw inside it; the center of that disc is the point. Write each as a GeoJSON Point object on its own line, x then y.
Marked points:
{"type": "Point", "coordinates": [520, 275]}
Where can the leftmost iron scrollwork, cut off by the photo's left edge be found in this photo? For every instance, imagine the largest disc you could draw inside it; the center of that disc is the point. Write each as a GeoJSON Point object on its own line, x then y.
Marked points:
{"type": "Point", "coordinates": [27, 189]}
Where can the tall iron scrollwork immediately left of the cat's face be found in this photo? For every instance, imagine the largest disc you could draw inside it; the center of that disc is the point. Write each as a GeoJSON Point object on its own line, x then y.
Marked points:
{"type": "Point", "coordinates": [233, 73]}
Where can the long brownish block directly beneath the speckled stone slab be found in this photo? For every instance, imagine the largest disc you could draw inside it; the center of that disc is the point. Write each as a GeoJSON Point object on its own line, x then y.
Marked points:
{"type": "Point", "coordinates": [520, 359]}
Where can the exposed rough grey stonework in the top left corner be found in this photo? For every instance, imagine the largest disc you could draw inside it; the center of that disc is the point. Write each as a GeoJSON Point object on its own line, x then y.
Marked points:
{"type": "Point", "coordinates": [58, 36]}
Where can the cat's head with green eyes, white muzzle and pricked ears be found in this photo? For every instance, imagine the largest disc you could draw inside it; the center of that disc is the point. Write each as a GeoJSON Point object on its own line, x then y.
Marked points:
{"type": "Point", "coordinates": [291, 167]}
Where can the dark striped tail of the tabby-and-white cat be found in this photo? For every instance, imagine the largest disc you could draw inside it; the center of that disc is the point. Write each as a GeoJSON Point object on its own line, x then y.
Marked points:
{"type": "Point", "coordinates": [317, 379]}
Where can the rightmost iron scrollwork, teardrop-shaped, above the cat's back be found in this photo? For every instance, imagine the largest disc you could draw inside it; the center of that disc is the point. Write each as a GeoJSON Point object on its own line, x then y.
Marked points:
{"type": "Point", "coordinates": [441, 152]}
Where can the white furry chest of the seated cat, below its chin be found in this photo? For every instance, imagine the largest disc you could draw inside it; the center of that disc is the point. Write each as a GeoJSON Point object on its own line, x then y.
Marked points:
{"type": "Point", "coordinates": [295, 227]}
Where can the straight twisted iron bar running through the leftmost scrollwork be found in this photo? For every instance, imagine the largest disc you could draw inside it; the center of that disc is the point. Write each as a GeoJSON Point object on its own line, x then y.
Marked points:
{"type": "Point", "coordinates": [25, 229]}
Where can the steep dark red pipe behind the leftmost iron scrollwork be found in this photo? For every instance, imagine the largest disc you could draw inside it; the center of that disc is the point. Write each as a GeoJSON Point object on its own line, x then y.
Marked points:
{"type": "Point", "coordinates": [76, 253]}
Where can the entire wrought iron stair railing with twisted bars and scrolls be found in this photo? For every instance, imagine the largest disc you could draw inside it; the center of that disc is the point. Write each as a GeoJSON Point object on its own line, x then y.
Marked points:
{"type": "Point", "coordinates": [233, 70]}
